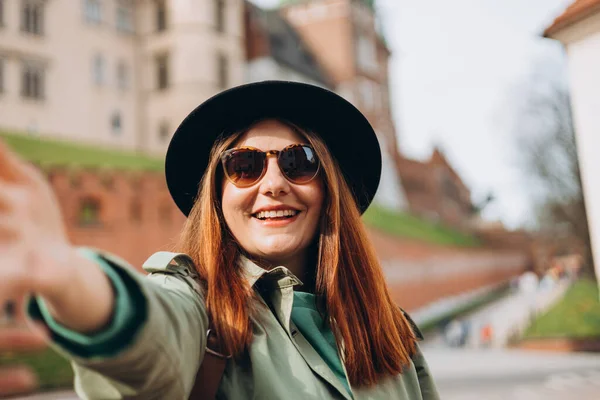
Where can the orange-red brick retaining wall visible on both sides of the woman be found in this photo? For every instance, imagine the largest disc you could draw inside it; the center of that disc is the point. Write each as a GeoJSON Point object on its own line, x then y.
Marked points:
{"type": "Point", "coordinates": [134, 216]}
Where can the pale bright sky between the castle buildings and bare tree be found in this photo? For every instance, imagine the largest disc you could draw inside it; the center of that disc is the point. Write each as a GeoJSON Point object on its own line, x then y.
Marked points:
{"type": "Point", "coordinates": [454, 67]}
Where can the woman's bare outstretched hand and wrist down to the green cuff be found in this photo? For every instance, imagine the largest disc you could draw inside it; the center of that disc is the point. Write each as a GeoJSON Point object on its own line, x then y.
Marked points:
{"type": "Point", "coordinates": [36, 256]}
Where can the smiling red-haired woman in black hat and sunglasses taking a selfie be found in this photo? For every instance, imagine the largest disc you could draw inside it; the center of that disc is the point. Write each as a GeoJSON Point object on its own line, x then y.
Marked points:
{"type": "Point", "coordinates": [273, 177]}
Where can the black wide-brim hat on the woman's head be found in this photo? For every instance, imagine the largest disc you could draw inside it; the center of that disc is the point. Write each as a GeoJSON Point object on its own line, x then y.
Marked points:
{"type": "Point", "coordinates": [348, 135]}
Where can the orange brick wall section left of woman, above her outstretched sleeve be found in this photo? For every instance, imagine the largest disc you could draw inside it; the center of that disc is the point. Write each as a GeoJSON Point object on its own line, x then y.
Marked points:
{"type": "Point", "coordinates": [129, 214]}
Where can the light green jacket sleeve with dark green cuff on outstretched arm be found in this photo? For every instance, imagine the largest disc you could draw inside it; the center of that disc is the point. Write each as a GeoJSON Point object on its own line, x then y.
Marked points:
{"type": "Point", "coordinates": [156, 354]}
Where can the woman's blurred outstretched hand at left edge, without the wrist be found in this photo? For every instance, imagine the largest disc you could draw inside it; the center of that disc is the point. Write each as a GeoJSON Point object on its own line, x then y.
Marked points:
{"type": "Point", "coordinates": [34, 249]}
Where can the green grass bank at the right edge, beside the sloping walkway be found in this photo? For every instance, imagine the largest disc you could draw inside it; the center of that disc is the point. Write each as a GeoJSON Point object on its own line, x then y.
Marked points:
{"type": "Point", "coordinates": [576, 315]}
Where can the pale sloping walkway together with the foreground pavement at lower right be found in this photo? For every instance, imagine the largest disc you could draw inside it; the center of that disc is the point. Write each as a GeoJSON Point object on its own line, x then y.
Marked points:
{"type": "Point", "coordinates": [474, 373]}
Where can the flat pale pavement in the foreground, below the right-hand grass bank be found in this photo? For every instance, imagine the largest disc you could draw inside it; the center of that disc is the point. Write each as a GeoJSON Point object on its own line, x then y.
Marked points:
{"type": "Point", "coordinates": [498, 374]}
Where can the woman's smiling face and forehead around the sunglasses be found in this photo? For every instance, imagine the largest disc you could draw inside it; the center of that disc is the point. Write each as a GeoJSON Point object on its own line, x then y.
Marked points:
{"type": "Point", "coordinates": [274, 219]}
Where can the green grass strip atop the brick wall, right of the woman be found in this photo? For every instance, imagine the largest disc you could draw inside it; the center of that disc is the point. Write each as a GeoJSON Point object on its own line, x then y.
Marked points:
{"type": "Point", "coordinates": [409, 226]}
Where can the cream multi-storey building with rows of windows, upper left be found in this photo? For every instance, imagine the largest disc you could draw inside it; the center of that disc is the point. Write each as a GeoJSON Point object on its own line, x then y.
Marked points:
{"type": "Point", "coordinates": [119, 73]}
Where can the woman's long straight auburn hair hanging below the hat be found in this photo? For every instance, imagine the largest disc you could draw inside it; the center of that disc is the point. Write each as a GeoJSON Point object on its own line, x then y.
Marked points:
{"type": "Point", "coordinates": [376, 338]}
